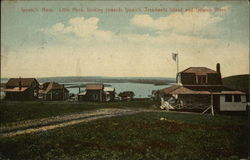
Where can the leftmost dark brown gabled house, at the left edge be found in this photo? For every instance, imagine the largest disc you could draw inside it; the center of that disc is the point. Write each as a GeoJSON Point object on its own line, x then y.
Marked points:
{"type": "Point", "coordinates": [21, 89]}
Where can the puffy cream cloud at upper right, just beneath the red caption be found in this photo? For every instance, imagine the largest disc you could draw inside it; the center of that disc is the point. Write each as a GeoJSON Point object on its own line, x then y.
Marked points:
{"type": "Point", "coordinates": [179, 22]}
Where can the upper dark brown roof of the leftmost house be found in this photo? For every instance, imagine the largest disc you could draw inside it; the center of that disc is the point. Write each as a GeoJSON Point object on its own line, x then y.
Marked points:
{"type": "Point", "coordinates": [25, 82]}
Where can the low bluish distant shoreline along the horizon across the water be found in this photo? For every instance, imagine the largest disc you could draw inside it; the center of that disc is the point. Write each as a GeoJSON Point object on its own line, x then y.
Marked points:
{"type": "Point", "coordinates": [100, 79]}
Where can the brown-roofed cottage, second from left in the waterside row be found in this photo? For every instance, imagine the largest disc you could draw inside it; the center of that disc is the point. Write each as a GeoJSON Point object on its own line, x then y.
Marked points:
{"type": "Point", "coordinates": [52, 91]}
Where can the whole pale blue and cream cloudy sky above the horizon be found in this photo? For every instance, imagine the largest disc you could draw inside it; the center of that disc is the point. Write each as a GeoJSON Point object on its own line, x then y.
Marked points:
{"type": "Point", "coordinates": [122, 39]}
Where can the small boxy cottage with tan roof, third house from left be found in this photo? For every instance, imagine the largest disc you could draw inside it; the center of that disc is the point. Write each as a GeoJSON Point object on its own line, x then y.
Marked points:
{"type": "Point", "coordinates": [95, 92]}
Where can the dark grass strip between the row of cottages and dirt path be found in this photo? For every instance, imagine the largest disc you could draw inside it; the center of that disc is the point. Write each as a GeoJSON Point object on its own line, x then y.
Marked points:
{"type": "Point", "coordinates": [19, 111]}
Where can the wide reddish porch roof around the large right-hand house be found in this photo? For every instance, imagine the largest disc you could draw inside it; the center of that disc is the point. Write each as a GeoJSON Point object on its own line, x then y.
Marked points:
{"type": "Point", "coordinates": [177, 89]}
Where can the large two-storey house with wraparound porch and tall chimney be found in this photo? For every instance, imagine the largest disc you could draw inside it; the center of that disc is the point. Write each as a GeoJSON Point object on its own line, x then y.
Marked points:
{"type": "Point", "coordinates": [201, 87]}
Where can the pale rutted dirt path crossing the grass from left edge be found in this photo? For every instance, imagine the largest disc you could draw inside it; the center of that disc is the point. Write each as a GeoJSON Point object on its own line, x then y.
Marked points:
{"type": "Point", "coordinates": [44, 124]}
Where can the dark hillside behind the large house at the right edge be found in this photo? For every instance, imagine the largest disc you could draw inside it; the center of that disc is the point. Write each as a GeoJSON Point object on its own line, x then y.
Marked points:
{"type": "Point", "coordinates": [238, 82]}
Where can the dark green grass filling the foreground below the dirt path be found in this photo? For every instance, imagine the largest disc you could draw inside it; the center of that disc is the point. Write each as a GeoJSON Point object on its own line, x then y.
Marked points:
{"type": "Point", "coordinates": [142, 137]}
